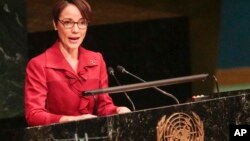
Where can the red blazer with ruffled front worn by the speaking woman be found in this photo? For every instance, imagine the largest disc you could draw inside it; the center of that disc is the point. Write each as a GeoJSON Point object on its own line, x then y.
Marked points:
{"type": "Point", "coordinates": [53, 89]}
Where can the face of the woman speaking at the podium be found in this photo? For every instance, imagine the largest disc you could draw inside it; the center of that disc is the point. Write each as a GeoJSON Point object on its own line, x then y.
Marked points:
{"type": "Point", "coordinates": [70, 38]}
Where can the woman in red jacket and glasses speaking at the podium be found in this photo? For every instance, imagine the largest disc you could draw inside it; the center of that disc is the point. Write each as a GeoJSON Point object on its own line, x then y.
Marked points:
{"type": "Point", "coordinates": [56, 78]}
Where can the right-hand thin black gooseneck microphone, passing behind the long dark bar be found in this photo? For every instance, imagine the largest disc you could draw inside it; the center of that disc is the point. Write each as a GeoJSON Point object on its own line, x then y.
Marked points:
{"type": "Point", "coordinates": [123, 70]}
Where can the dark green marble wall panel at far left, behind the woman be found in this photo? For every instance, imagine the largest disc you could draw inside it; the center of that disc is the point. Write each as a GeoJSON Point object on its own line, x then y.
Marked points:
{"type": "Point", "coordinates": [13, 45]}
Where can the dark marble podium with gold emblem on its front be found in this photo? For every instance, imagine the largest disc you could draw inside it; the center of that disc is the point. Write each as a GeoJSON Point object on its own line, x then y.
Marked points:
{"type": "Point", "coordinates": [207, 119]}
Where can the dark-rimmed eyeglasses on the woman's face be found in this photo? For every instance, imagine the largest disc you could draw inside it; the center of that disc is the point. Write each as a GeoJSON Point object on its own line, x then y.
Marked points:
{"type": "Point", "coordinates": [68, 23]}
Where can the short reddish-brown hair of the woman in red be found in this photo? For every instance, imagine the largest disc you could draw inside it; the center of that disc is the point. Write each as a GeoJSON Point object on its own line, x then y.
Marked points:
{"type": "Point", "coordinates": [82, 5]}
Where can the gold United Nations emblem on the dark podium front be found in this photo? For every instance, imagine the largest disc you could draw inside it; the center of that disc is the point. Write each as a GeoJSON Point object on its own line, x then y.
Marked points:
{"type": "Point", "coordinates": [180, 127]}
